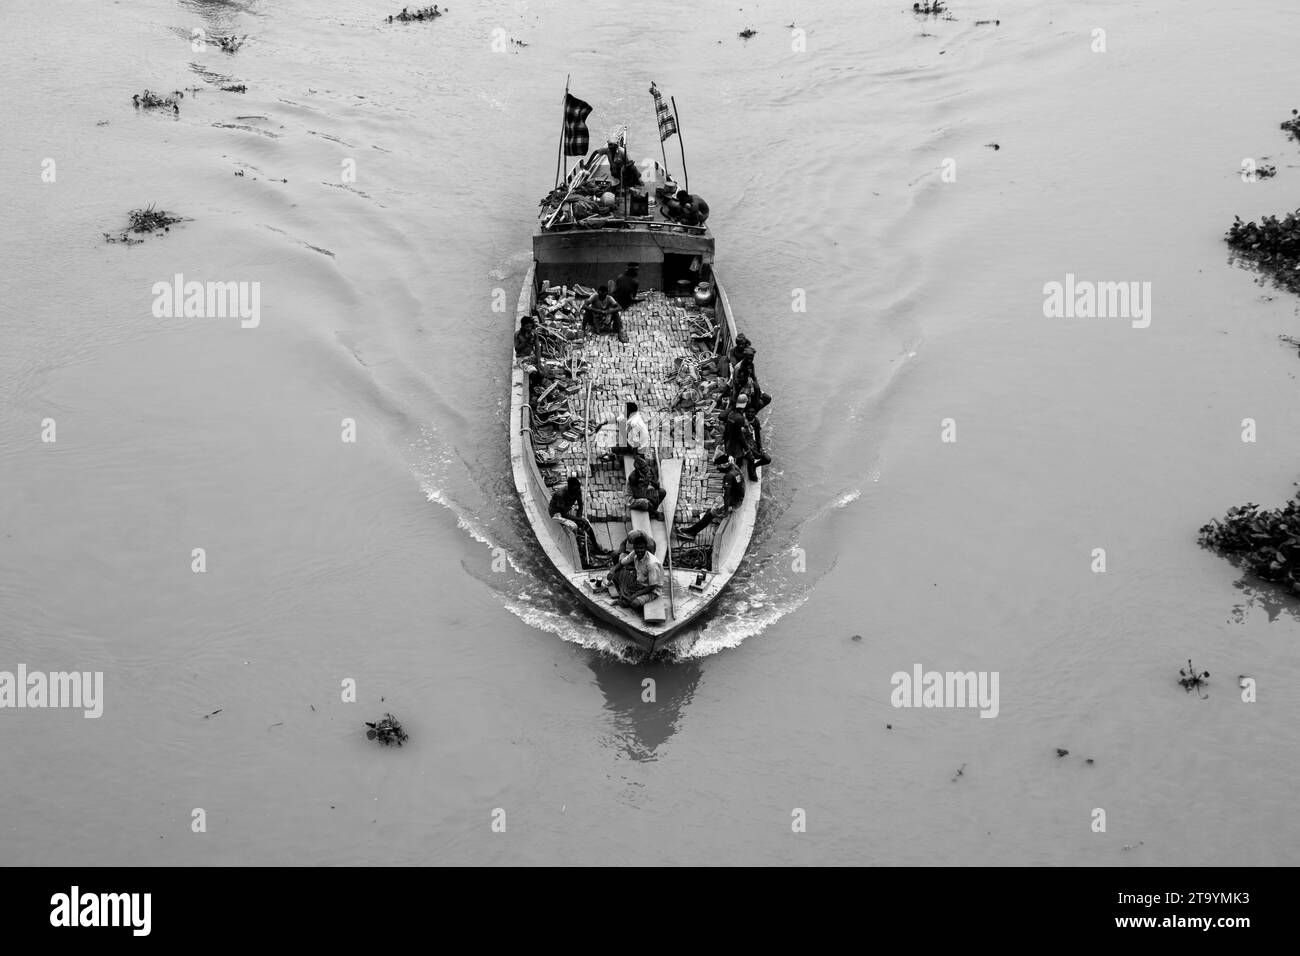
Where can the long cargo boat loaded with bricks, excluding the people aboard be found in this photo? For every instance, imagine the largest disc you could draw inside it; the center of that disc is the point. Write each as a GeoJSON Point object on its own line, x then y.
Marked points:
{"type": "Point", "coordinates": [681, 301]}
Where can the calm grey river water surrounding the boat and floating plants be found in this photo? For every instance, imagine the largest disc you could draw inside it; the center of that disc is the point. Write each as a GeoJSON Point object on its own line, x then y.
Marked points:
{"type": "Point", "coordinates": [391, 179]}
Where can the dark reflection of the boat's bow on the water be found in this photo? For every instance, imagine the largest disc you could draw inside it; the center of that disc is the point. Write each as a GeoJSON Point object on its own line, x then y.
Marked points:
{"type": "Point", "coordinates": [642, 726]}
